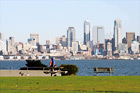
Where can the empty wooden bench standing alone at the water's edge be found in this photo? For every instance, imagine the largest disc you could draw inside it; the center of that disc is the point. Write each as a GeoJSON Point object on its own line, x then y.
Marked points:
{"type": "Point", "coordinates": [103, 70]}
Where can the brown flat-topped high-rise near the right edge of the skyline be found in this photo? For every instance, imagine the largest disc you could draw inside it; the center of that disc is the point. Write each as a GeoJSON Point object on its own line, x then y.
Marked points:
{"type": "Point", "coordinates": [129, 37]}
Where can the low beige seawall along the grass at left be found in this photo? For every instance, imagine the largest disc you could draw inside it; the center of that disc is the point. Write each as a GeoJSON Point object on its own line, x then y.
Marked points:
{"type": "Point", "coordinates": [16, 73]}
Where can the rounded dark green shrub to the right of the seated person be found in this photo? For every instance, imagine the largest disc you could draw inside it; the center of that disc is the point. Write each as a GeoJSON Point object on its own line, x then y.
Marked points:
{"type": "Point", "coordinates": [72, 69]}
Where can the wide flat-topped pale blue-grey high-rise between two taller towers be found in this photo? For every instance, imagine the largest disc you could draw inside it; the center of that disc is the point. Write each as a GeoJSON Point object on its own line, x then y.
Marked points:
{"type": "Point", "coordinates": [98, 35]}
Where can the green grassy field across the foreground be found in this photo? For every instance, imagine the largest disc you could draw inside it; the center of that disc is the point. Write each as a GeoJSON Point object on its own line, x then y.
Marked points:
{"type": "Point", "coordinates": [98, 84]}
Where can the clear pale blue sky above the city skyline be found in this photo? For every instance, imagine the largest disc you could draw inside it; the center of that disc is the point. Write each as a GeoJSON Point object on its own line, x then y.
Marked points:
{"type": "Point", "coordinates": [51, 18]}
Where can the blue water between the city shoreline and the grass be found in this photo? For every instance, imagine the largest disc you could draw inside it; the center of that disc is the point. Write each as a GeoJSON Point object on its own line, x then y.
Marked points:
{"type": "Point", "coordinates": [121, 67]}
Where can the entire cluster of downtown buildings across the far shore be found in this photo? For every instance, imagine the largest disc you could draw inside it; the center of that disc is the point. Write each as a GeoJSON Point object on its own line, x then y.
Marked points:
{"type": "Point", "coordinates": [67, 47]}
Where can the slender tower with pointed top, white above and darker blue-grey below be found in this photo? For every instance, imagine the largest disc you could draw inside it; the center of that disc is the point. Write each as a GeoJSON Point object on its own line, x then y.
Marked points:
{"type": "Point", "coordinates": [86, 32]}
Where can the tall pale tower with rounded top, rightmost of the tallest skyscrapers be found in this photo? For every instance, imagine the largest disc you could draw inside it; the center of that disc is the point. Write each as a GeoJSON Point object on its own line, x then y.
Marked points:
{"type": "Point", "coordinates": [117, 32]}
